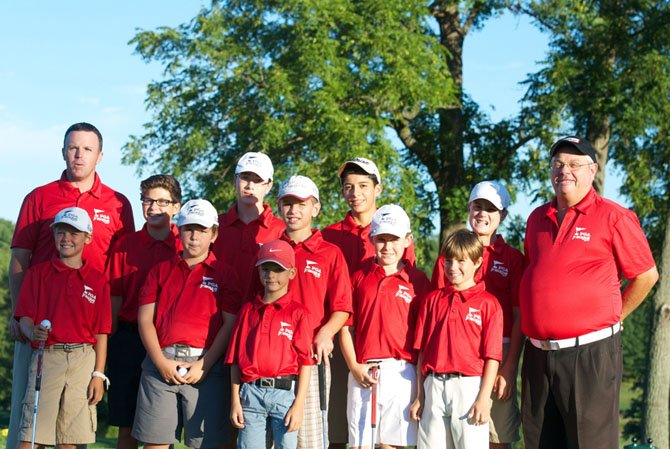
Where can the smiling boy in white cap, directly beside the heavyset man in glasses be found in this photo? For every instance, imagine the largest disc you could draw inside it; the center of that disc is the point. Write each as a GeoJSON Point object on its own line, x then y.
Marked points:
{"type": "Point", "coordinates": [501, 269]}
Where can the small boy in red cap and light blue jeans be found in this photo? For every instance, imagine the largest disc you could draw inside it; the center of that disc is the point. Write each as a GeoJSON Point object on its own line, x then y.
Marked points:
{"type": "Point", "coordinates": [269, 350]}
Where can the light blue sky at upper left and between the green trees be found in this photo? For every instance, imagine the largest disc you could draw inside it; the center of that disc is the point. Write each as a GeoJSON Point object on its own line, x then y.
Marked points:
{"type": "Point", "coordinates": [64, 62]}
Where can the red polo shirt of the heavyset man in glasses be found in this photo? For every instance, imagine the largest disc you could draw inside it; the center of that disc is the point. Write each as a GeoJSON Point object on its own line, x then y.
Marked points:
{"type": "Point", "coordinates": [572, 284]}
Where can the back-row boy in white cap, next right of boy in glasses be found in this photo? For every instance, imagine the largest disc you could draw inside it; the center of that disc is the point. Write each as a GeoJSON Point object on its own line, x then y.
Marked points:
{"type": "Point", "coordinates": [249, 222]}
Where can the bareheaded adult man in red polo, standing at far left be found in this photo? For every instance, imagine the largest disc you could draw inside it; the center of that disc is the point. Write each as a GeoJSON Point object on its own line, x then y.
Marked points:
{"type": "Point", "coordinates": [79, 185]}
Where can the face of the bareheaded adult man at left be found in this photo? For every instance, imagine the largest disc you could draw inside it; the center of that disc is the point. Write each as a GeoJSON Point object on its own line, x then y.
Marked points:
{"type": "Point", "coordinates": [81, 154]}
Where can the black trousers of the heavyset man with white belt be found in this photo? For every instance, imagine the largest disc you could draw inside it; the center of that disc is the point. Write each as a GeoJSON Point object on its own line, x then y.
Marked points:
{"type": "Point", "coordinates": [570, 397]}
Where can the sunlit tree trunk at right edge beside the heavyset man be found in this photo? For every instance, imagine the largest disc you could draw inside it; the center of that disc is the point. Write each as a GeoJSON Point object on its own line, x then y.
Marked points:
{"type": "Point", "coordinates": [657, 393]}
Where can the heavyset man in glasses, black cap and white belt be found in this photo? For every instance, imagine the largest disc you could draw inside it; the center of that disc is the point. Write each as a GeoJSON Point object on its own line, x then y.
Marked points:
{"type": "Point", "coordinates": [578, 247]}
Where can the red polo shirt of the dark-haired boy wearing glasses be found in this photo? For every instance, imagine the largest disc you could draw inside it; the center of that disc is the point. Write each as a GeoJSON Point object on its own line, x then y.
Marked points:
{"type": "Point", "coordinates": [129, 262]}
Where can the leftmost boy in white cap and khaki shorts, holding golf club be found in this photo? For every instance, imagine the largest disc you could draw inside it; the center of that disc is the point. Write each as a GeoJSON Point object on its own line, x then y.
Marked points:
{"type": "Point", "coordinates": [75, 298]}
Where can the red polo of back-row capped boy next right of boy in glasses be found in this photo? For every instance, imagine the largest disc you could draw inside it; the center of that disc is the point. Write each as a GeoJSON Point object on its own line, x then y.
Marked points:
{"type": "Point", "coordinates": [238, 244]}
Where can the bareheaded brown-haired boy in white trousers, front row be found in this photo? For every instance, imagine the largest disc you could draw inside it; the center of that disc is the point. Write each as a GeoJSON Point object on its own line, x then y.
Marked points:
{"type": "Point", "coordinates": [459, 339]}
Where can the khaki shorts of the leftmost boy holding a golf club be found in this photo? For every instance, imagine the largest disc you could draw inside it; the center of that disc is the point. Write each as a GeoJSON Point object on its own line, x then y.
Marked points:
{"type": "Point", "coordinates": [64, 415]}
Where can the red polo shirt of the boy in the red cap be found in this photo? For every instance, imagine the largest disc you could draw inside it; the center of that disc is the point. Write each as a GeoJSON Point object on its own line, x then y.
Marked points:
{"type": "Point", "coordinates": [271, 340]}
